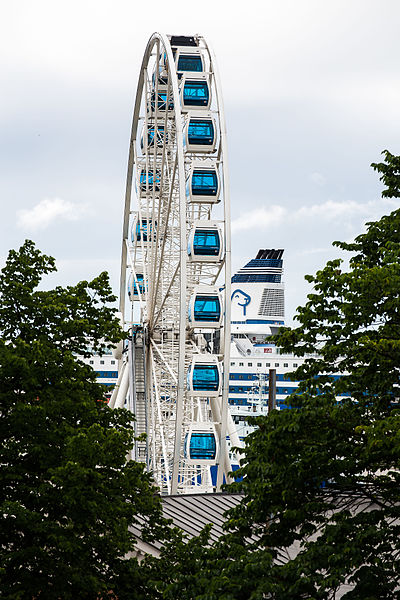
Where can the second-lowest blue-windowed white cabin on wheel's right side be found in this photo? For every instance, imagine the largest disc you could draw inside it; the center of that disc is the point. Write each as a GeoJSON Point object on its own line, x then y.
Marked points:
{"type": "Point", "coordinates": [204, 376]}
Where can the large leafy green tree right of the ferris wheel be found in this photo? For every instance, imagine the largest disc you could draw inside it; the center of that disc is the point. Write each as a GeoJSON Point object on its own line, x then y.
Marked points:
{"type": "Point", "coordinates": [323, 478]}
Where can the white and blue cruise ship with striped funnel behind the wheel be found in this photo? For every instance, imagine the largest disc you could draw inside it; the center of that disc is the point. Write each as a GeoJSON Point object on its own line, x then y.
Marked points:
{"type": "Point", "coordinates": [258, 310]}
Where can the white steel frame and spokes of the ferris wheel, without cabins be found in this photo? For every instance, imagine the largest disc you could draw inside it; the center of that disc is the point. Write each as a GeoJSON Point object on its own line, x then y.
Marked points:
{"type": "Point", "coordinates": [171, 476]}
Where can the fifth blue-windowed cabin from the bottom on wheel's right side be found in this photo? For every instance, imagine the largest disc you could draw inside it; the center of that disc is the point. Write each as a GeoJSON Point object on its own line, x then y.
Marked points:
{"type": "Point", "coordinates": [203, 183]}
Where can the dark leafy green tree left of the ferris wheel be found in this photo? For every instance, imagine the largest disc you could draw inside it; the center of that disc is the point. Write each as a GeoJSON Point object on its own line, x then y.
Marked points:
{"type": "Point", "coordinates": [67, 493]}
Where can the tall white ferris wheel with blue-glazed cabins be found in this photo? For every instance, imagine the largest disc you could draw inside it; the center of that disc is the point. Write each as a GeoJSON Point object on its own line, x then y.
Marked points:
{"type": "Point", "coordinates": [175, 270]}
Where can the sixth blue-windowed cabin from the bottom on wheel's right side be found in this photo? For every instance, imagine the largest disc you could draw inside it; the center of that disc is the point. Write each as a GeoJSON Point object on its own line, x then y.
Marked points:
{"type": "Point", "coordinates": [200, 133]}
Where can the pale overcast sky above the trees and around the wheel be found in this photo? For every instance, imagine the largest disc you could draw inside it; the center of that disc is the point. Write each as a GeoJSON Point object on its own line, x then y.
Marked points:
{"type": "Point", "coordinates": [312, 96]}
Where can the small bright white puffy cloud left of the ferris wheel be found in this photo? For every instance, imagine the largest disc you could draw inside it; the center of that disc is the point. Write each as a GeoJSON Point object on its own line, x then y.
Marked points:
{"type": "Point", "coordinates": [47, 211]}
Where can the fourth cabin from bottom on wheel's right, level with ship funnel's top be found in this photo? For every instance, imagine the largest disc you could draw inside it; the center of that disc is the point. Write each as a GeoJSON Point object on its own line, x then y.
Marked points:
{"type": "Point", "coordinates": [205, 242]}
